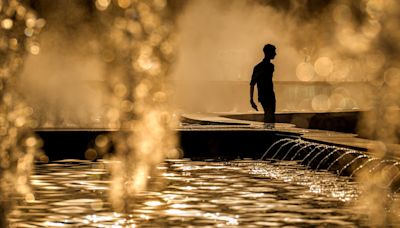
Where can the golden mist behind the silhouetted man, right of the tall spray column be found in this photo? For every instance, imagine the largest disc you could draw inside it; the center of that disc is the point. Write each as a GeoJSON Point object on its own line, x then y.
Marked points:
{"type": "Point", "coordinates": [326, 52]}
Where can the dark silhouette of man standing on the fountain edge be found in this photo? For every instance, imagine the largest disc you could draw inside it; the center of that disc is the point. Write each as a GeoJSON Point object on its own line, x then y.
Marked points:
{"type": "Point", "coordinates": [262, 77]}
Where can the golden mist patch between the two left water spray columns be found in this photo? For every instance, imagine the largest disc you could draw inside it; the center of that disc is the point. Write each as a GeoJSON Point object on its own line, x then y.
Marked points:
{"type": "Point", "coordinates": [63, 79]}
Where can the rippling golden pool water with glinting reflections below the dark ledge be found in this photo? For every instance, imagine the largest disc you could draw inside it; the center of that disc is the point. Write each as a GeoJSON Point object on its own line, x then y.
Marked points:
{"type": "Point", "coordinates": [241, 193]}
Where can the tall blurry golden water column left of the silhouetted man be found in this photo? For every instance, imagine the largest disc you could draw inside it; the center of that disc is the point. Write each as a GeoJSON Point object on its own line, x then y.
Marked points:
{"type": "Point", "coordinates": [140, 37]}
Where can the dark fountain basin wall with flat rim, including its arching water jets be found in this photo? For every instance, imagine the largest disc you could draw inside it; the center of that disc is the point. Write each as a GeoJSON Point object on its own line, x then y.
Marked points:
{"type": "Point", "coordinates": [214, 137]}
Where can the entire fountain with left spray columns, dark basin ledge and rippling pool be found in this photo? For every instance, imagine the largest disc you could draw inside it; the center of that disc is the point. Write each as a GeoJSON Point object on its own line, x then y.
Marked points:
{"type": "Point", "coordinates": [134, 185]}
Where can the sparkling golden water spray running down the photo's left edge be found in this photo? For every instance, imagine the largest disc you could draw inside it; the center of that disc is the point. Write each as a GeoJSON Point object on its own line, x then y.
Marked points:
{"type": "Point", "coordinates": [18, 145]}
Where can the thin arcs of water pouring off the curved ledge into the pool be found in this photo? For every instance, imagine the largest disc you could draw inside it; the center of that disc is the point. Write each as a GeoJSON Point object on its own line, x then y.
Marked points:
{"type": "Point", "coordinates": [341, 160]}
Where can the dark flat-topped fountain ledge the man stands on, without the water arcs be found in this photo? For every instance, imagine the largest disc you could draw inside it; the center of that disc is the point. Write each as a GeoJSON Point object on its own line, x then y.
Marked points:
{"type": "Point", "coordinates": [72, 143]}
